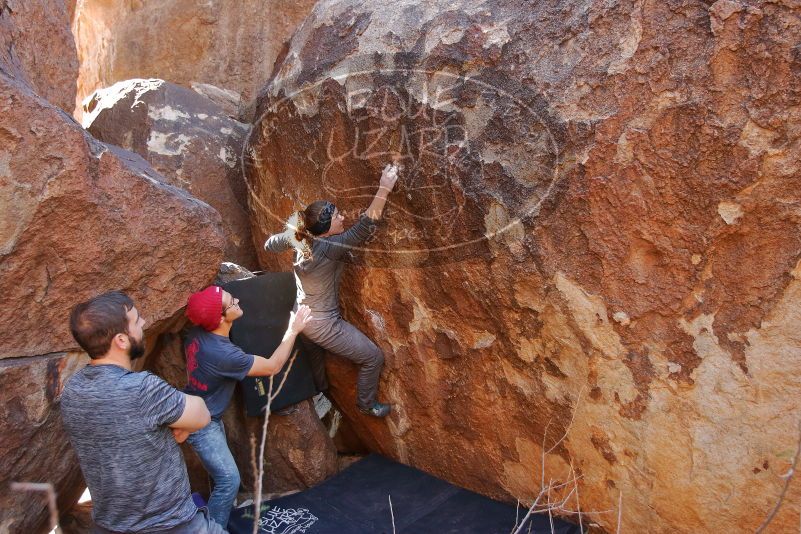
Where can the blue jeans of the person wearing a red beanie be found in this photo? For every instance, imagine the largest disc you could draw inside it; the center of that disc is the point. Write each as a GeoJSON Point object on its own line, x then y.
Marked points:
{"type": "Point", "coordinates": [210, 445]}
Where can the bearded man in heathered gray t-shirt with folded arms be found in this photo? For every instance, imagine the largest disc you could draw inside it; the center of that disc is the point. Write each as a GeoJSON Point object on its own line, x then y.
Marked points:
{"type": "Point", "coordinates": [125, 427]}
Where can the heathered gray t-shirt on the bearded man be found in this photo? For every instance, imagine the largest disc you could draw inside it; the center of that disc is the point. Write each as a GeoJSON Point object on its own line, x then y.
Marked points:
{"type": "Point", "coordinates": [117, 422]}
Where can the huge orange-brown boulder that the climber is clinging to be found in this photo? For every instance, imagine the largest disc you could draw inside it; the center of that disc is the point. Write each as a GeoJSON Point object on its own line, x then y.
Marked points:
{"type": "Point", "coordinates": [598, 216]}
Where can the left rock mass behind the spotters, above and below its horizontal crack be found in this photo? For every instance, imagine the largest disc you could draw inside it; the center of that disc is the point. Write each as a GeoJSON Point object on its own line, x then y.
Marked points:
{"type": "Point", "coordinates": [77, 217]}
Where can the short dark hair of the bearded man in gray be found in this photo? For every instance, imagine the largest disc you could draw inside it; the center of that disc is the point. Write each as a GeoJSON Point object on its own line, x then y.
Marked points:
{"type": "Point", "coordinates": [94, 323]}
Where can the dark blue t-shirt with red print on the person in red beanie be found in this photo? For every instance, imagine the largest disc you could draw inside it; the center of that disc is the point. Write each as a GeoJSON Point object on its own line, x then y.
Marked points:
{"type": "Point", "coordinates": [213, 367]}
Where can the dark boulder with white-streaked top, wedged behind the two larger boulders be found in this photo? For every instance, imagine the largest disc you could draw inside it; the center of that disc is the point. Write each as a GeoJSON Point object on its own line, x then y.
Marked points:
{"type": "Point", "coordinates": [187, 138]}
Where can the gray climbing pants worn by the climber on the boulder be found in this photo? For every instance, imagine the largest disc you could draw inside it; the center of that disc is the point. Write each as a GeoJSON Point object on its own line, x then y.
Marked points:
{"type": "Point", "coordinates": [341, 338]}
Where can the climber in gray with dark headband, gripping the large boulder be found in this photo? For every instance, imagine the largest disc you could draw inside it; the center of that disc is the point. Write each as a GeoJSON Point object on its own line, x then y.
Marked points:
{"type": "Point", "coordinates": [320, 241]}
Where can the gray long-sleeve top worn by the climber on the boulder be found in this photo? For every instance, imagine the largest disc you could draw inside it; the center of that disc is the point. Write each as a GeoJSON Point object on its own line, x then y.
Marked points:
{"type": "Point", "coordinates": [318, 278]}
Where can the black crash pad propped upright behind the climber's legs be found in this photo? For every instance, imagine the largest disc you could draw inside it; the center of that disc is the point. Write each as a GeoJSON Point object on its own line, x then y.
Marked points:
{"type": "Point", "coordinates": [267, 300]}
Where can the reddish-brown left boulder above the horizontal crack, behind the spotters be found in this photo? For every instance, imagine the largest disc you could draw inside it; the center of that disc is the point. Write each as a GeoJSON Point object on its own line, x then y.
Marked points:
{"type": "Point", "coordinates": [80, 217]}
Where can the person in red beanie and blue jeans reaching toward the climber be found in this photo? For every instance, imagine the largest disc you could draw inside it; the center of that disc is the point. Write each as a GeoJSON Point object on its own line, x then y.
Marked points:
{"type": "Point", "coordinates": [213, 366]}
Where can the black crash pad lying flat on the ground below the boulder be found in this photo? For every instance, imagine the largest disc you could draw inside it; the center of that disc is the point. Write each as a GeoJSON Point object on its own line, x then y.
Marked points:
{"type": "Point", "coordinates": [355, 501]}
